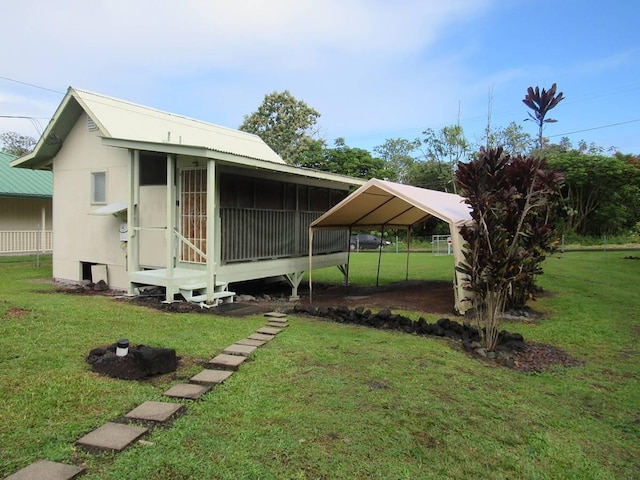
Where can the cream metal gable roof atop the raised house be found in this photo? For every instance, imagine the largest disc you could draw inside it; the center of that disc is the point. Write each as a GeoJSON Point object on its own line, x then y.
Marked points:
{"type": "Point", "coordinates": [119, 119]}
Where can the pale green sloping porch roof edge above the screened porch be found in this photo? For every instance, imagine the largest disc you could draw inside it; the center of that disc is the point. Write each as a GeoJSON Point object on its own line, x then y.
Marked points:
{"type": "Point", "coordinates": [230, 158]}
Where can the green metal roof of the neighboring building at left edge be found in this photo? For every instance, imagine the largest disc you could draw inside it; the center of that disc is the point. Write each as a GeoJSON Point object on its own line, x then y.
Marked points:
{"type": "Point", "coordinates": [19, 182]}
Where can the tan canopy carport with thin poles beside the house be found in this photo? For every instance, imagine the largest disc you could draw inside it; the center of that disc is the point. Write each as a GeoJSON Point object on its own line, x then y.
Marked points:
{"type": "Point", "coordinates": [380, 204]}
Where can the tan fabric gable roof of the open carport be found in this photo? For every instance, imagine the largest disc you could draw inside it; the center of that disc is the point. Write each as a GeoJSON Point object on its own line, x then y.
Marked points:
{"type": "Point", "coordinates": [381, 203]}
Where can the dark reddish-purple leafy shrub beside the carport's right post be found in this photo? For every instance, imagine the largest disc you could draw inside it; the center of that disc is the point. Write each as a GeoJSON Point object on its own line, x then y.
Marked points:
{"type": "Point", "coordinates": [505, 245]}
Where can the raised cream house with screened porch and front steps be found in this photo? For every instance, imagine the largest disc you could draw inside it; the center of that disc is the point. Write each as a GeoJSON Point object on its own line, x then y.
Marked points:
{"type": "Point", "coordinates": [148, 198]}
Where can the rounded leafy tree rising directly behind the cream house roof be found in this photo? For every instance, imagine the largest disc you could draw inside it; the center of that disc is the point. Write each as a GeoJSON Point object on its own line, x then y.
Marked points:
{"type": "Point", "coordinates": [286, 124]}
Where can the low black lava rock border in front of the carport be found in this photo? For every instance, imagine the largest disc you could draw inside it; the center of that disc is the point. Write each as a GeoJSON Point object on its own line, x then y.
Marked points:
{"type": "Point", "coordinates": [464, 332]}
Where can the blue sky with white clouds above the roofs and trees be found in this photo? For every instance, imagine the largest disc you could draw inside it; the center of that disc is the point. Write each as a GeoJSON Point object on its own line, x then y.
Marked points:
{"type": "Point", "coordinates": [374, 69]}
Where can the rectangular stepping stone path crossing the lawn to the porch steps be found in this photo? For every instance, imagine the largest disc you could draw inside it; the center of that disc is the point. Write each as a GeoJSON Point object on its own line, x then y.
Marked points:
{"type": "Point", "coordinates": [116, 437]}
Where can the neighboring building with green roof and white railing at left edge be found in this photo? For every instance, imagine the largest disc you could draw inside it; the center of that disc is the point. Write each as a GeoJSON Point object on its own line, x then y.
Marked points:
{"type": "Point", "coordinates": [25, 209]}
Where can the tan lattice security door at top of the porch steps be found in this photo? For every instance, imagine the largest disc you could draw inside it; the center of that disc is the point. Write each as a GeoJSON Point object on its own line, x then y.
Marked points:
{"type": "Point", "coordinates": [193, 202]}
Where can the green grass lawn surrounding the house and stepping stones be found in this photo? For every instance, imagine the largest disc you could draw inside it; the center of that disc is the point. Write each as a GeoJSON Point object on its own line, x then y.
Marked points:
{"type": "Point", "coordinates": [333, 401]}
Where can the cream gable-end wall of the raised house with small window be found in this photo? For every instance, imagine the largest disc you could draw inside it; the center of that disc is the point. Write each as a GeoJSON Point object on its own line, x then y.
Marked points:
{"type": "Point", "coordinates": [79, 236]}
